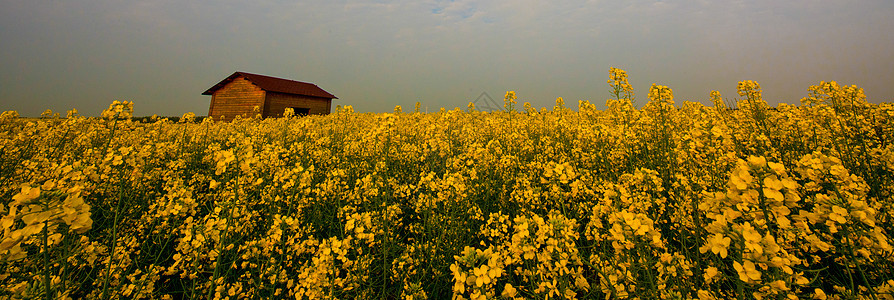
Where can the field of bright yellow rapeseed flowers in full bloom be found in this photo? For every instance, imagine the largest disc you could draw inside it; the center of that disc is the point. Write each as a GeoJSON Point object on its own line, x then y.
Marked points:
{"type": "Point", "coordinates": [667, 201]}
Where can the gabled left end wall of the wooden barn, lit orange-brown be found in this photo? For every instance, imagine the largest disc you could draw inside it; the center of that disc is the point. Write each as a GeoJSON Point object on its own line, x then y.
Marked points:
{"type": "Point", "coordinates": [239, 97]}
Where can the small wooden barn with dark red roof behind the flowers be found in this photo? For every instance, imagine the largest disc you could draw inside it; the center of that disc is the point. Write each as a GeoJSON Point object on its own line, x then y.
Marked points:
{"type": "Point", "coordinates": [241, 92]}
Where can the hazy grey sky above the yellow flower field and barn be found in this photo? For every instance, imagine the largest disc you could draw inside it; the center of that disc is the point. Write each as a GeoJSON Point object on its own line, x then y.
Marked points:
{"type": "Point", "coordinates": [373, 55]}
